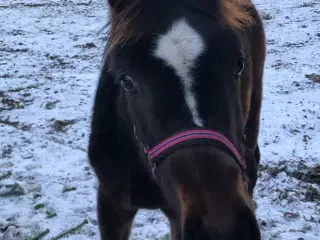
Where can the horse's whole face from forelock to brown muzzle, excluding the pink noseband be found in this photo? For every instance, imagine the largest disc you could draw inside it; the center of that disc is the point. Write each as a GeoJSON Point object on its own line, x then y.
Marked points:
{"type": "Point", "coordinates": [185, 73]}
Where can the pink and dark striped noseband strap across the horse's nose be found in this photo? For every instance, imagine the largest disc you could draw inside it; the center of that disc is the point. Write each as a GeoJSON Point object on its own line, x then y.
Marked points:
{"type": "Point", "coordinates": [189, 138]}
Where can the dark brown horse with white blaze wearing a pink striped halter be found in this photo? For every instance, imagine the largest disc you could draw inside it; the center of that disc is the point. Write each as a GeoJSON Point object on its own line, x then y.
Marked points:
{"type": "Point", "coordinates": [176, 117]}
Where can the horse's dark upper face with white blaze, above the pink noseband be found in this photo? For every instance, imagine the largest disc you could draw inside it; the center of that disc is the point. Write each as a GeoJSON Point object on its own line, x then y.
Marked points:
{"type": "Point", "coordinates": [182, 78]}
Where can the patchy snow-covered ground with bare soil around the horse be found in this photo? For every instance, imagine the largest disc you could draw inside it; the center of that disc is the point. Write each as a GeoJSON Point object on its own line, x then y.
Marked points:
{"type": "Point", "coordinates": [50, 54]}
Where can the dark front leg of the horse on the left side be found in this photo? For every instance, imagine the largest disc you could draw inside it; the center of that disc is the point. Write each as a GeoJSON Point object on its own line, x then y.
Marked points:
{"type": "Point", "coordinates": [114, 221]}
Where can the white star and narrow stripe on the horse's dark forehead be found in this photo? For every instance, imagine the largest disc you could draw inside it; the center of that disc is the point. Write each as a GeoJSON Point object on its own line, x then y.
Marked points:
{"type": "Point", "coordinates": [180, 48]}
